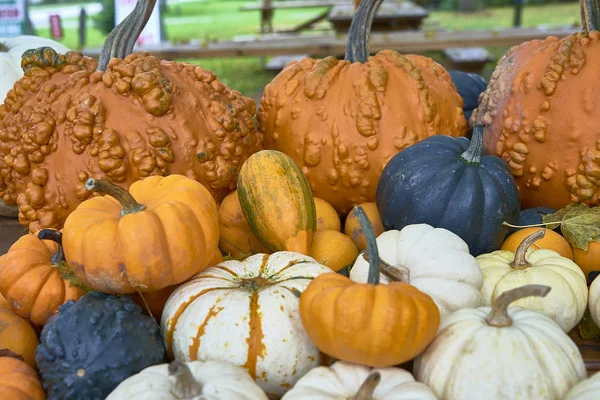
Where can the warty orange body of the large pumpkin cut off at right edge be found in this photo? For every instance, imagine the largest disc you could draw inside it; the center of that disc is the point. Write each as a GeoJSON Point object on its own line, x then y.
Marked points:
{"type": "Point", "coordinates": [541, 104]}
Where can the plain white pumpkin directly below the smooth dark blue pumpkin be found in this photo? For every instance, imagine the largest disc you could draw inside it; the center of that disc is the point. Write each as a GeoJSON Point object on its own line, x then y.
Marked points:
{"type": "Point", "coordinates": [438, 262]}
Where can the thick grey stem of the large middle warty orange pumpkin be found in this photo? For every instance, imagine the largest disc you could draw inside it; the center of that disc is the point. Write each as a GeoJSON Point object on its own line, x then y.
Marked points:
{"type": "Point", "coordinates": [357, 48]}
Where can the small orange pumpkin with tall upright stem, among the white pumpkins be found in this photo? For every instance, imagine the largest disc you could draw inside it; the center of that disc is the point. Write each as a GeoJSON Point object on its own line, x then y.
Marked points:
{"type": "Point", "coordinates": [368, 323]}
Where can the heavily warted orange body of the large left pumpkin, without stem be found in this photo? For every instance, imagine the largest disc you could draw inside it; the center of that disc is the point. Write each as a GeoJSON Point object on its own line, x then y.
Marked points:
{"type": "Point", "coordinates": [65, 122]}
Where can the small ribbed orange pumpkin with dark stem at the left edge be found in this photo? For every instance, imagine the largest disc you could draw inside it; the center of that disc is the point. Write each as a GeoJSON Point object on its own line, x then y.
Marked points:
{"type": "Point", "coordinates": [31, 276]}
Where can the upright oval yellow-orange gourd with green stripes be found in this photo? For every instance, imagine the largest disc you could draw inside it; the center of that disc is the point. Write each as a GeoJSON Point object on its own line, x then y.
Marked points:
{"type": "Point", "coordinates": [277, 202]}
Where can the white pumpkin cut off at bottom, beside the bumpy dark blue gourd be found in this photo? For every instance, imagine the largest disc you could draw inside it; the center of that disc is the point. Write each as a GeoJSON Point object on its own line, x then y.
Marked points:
{"type": "Point", "coordinates": [195, 380]}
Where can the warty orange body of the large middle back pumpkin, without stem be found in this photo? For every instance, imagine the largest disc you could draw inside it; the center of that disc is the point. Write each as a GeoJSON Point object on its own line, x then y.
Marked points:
{"type": "Point", "coordinates": [342, 122]}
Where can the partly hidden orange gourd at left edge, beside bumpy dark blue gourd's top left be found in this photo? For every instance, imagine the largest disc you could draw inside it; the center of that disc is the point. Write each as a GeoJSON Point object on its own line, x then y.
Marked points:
{"type": "Point", "coordinates": [18, 336]}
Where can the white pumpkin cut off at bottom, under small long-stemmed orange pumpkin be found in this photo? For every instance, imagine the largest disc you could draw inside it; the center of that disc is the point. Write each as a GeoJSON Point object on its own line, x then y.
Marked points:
{"type": "Point", "coordinates": [346, 381]}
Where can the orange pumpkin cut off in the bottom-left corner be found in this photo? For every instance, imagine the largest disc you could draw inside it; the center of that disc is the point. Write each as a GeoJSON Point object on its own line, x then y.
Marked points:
{"type": "Point", "coordinates": [18, 381]}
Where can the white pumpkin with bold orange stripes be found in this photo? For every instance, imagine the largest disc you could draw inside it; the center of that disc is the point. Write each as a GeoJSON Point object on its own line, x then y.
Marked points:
{"type": "Point", "coordinates": [246, 313]}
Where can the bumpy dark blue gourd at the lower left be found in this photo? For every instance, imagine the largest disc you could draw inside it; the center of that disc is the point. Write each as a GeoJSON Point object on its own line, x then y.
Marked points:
{"type": "Point", "coordinates": [92, 345]}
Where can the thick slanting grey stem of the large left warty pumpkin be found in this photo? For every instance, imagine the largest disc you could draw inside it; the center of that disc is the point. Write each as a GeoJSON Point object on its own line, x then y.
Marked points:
{"type": "Point", "coordinates": [121, 40]}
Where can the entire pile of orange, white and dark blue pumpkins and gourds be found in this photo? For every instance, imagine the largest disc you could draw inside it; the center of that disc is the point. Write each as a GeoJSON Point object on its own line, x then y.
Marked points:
{"type": "Point", "coordinates": [351, 244]}
